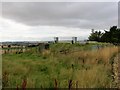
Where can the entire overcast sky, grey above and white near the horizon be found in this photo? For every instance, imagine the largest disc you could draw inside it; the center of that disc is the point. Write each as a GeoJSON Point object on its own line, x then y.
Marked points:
{"type": "Point", "coordinates": [36, 21]}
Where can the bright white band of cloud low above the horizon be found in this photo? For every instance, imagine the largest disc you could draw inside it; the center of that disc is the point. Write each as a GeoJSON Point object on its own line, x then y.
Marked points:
{"type": "Point", "coordinates": [12, 31]}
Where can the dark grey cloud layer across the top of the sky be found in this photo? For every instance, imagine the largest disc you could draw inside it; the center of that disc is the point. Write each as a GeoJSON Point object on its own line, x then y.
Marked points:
{"type": "Point", "coordinates": [98, 15]}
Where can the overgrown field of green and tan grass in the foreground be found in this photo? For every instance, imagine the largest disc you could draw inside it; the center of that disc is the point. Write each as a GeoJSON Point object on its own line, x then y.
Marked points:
{"type": "Point", "coordinates": [63, 66]}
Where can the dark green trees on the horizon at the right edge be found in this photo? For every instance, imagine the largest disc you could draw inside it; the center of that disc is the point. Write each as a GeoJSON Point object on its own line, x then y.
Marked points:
{"type": "Point", "coordinates": [111, 36]}
